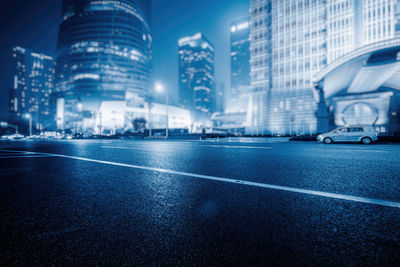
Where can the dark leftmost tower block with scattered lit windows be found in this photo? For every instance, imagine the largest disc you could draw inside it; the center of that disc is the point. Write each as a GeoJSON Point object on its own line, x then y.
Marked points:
{"type": "Point", "coordinates": [32, 88]}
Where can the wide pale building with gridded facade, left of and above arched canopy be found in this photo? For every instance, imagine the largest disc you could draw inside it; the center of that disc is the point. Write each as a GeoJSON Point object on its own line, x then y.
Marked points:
{"type": "Point", "coordinates": [292, 41]}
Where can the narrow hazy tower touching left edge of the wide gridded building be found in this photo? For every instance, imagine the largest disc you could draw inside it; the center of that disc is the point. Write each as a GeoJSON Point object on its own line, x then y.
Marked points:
{"type": "Point", "coordinates": [240, 65]}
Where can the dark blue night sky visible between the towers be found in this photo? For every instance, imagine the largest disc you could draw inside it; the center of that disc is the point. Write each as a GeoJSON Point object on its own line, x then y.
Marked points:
{"type": "Point", "coordinates": [34, 24]}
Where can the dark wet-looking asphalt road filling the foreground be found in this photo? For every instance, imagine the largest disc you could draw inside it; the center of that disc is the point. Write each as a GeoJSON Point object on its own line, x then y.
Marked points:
{"type": "Point", "coordinates": [152, 203]}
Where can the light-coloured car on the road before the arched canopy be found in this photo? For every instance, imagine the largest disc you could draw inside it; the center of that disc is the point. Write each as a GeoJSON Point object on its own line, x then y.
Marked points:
{"type": "Point", "coordinates": [363, 134]}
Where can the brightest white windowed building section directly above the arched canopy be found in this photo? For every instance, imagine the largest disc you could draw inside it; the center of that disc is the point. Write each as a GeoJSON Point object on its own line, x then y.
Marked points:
{"type": "Point", "coordinates": [353, 23]}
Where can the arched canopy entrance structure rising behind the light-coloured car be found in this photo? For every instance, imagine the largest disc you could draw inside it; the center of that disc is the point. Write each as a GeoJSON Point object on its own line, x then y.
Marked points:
{"type": "Point", "coordinates": [361, 88]}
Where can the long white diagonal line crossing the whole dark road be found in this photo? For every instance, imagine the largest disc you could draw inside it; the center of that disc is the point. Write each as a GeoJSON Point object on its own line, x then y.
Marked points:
{"type": "Point", "coordinates": [365, 200]}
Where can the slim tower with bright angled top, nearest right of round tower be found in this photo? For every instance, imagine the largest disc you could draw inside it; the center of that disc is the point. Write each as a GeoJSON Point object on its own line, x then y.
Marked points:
{"type": "Point", "coordinates": [196, 74]}
